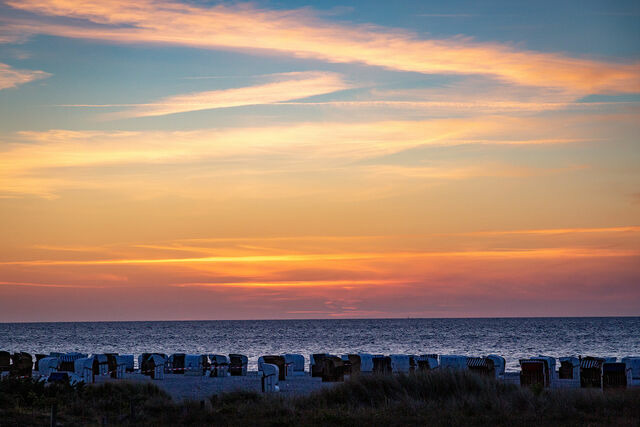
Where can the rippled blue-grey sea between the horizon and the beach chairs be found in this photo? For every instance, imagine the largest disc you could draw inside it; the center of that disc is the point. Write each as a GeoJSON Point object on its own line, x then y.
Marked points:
{"type": "Point", "coordinates": [513, 338]}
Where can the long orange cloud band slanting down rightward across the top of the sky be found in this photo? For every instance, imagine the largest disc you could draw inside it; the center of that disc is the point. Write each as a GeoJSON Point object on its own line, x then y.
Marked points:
{"type": "Point", "coordinates": [299, 33]}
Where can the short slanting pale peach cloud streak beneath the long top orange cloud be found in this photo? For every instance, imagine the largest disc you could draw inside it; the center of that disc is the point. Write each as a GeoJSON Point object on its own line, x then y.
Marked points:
{"type": "Point", "coordinates": [287, 86]}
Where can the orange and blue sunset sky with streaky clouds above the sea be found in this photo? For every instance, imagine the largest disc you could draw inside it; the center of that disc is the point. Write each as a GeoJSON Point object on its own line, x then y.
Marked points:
{"type": "Point", "coordinates": [166, 160]}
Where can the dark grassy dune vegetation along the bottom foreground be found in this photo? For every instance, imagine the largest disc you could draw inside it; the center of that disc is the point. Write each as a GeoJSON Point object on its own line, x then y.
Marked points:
{"type": "Point", "coordinates": [438, 398]}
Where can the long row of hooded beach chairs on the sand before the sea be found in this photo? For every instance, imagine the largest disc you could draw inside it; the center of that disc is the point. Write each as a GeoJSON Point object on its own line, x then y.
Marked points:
{"type": "Point", "coordinates": [587, 372]}
